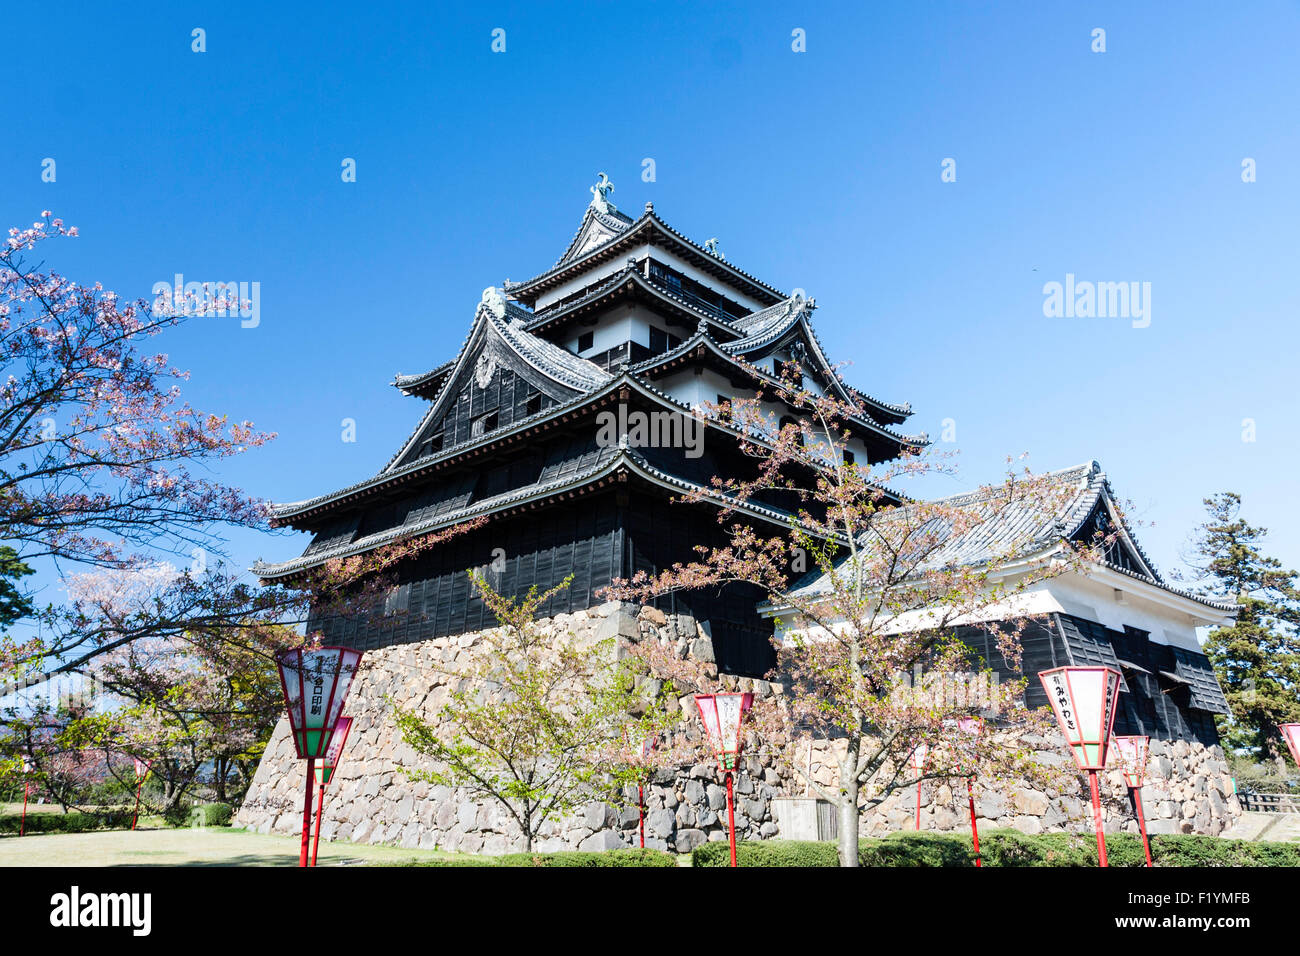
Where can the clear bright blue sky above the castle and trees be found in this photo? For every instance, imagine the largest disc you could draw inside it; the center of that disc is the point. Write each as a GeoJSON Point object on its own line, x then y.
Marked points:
{"type": "Point", "coordinates": [817, 170]}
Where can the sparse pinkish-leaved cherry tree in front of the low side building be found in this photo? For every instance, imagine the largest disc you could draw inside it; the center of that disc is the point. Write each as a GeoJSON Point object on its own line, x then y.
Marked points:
{"type": "Point", "coordinates": [872, 663]}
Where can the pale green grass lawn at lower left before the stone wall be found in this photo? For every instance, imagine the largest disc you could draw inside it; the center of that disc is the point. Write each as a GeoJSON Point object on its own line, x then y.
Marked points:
{"type": "Point", "coordinates": [188, 847]}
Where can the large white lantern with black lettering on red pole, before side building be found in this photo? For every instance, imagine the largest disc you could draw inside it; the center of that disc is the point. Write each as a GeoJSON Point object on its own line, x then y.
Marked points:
{"type": "Point", "coordinates": [1085, 702]}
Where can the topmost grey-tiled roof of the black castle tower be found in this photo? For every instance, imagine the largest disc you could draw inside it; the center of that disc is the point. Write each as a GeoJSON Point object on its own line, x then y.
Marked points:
{"type": "Point", "coordinates": [647, 230]}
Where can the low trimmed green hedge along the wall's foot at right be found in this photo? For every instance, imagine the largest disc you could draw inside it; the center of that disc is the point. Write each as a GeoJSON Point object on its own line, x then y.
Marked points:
{"type": "Point", "coordinates": [1007, 849]}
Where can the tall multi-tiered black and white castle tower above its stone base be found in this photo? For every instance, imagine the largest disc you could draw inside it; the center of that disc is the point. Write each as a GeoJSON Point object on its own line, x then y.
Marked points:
{"type": "Point", "coordinates": [634, 317]}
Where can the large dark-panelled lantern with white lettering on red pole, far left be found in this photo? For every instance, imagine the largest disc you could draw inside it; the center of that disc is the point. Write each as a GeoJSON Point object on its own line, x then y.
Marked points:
{"type": "Point", "coordinates": [315, 682]}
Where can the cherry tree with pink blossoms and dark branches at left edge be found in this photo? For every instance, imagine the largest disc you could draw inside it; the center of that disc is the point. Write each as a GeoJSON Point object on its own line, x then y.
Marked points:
{"type": "Point", "coordinates": [106, 479]}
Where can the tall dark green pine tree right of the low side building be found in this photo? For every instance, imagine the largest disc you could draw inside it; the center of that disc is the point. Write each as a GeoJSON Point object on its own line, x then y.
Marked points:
{"type": "Point", "coordinates": [1258, 659]}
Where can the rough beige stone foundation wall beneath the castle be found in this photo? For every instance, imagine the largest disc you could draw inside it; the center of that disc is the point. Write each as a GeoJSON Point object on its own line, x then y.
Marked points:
{"type": "Point", "coordinates": [371, 801]}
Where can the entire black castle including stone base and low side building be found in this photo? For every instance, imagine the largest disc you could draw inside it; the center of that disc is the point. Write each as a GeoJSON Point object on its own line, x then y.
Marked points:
{"type": "Point", "coordinates": [638, 318]}
